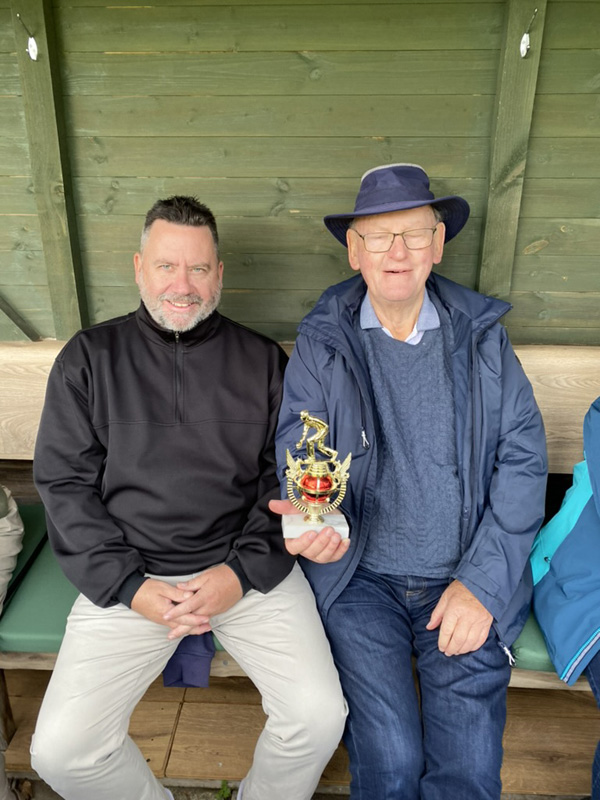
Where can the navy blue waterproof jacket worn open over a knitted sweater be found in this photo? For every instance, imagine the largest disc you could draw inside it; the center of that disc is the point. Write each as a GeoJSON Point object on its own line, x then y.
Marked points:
{"type": "Point", "coordinates": [500, 441]}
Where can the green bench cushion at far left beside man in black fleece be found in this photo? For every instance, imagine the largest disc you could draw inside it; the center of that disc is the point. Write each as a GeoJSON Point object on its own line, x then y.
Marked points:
{"type": "Point", "coordinates": [35, 620]}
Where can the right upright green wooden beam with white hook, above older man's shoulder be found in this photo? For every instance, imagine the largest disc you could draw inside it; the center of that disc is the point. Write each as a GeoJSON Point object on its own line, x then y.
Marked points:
{"type": "Point", "coordinates": [517, 79]}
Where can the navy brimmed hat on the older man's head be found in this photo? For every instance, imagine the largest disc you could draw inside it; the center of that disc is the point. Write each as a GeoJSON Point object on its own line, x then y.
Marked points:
{"type": "Point", "coordinates": [397, 187]}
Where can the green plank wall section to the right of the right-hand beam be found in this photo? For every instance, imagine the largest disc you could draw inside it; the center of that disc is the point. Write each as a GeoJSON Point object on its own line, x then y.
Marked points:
{"type": "Point", "coordinates": [556, 277]}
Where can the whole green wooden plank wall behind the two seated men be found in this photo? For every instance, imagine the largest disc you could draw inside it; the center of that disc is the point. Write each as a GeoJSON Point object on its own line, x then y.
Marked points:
{"type": "Point", "coordinates": [269, 111]}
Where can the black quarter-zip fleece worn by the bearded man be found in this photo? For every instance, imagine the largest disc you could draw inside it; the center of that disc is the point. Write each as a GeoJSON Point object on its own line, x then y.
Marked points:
{"type": "Point", "coordinates": [155, 455]}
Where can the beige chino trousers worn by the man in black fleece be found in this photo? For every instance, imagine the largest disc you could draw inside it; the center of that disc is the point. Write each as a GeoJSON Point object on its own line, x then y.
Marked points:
{"type": "Point", "coordinates": [109, 656]}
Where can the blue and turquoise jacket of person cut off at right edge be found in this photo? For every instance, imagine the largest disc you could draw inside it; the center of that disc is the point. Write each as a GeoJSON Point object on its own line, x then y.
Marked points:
{"type": "Point", "coordinates": [566, 565]}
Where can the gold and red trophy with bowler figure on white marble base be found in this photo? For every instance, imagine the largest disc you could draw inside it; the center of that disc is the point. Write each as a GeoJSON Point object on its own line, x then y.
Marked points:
{"type": "Point", "coordinates": [315, 485]}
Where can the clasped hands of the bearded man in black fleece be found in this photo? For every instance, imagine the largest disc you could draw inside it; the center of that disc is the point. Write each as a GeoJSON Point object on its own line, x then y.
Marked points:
{"type": "Point", "coordinates": [187, 608]}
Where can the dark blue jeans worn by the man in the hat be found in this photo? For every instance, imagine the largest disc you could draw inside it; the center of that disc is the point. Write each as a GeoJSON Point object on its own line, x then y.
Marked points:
{"type": "Point", "coordinates": [445, 745]}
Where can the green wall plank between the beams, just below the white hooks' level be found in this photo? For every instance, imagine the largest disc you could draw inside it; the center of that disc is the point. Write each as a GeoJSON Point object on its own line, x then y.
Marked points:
{"type": "Point", "coordinates": [306, 72]}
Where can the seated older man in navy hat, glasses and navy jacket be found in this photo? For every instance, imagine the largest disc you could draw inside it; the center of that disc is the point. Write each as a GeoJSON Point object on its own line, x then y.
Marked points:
{"type": "Point", "coordinates": [417, 379]}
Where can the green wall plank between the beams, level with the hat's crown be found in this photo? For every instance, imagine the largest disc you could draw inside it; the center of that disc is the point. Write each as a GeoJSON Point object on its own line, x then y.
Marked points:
{"type": "Point", "coordinates": [271, 157]}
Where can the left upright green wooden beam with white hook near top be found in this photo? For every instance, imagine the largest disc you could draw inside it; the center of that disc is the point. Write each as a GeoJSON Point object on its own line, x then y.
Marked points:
{"type": "Point", "coordinates": [42, 101]}
